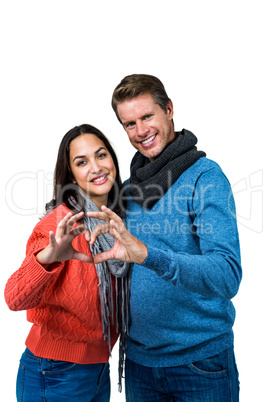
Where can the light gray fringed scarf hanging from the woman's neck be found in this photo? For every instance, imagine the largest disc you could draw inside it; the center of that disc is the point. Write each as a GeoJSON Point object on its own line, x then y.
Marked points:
{"type": "Point", "coordinates": [122, 273]}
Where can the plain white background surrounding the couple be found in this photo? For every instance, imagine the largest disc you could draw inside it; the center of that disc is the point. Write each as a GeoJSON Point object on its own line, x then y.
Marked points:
{"type": "Point", "coordinates": [60, 61]}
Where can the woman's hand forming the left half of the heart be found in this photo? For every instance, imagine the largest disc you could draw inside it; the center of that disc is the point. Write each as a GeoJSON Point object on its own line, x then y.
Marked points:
{"type": "Point", "coordinates": [60, 244]}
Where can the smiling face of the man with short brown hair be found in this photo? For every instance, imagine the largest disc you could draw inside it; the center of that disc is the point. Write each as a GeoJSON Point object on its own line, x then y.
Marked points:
{"type": "Point", "coordinates": [149, 128]}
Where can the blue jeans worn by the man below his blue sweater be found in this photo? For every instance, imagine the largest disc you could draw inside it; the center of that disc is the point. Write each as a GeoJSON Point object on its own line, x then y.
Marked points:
{"type": "Point", "coordinates": [211, 380]}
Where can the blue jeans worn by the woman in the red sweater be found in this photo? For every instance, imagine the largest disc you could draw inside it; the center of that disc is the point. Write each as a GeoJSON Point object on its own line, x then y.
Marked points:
{"type": "Point", "coordinates": [47, 380]}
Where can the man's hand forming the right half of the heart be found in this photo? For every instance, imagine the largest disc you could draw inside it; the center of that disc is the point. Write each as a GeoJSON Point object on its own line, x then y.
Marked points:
{"type": "Point", "coordinates": [126, 247]}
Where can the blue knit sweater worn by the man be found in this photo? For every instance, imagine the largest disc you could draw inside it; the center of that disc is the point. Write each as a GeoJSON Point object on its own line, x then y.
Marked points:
{"type": "Point", "coordinates": [180, 305]}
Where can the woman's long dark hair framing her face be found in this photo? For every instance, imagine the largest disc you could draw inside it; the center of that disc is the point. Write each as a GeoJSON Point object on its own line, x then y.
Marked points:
{"type": "Point", "coordinates": [64, 190]}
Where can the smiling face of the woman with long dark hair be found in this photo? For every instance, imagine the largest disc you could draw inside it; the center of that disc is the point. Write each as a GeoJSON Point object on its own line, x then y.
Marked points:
{"type": "Point", "coordinates": [92, 167]}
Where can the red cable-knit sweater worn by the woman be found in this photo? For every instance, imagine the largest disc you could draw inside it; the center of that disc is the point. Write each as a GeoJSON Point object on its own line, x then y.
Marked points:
{"type": "Point", "coordinates": [63, 304]}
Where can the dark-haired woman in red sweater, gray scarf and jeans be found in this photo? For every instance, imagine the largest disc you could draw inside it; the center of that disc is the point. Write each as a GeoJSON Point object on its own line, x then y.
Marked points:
{"type": "Point", "coordinates": [69, 300]}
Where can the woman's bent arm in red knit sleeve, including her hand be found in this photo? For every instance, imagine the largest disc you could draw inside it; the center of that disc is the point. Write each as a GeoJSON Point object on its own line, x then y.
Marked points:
{"type": "Point", "coordinates": [46, 254]}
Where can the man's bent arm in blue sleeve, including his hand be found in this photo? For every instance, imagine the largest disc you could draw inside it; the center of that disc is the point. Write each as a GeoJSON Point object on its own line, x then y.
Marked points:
{"type": "Point", "coordinates": [216, 271]}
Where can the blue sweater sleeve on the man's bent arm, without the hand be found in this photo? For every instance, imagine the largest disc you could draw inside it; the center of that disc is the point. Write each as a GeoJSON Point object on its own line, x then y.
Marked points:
{"type": "Point", "coordinates": [217, 271]}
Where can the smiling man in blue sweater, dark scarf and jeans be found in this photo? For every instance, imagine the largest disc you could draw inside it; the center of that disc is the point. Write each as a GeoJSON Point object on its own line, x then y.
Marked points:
{"type": "Point", "coordinates": [186, 256]}
